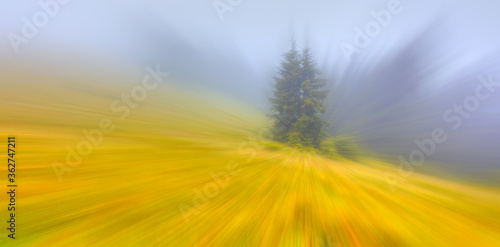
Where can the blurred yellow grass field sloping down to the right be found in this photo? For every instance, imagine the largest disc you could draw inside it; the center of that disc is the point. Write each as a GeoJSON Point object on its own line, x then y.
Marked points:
{"type": "Point", "coordinates": [188, 170]}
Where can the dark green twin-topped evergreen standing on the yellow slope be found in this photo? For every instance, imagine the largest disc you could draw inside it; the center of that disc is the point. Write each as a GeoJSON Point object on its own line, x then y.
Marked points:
{"type": "Point", "coordinates": [299, 101]}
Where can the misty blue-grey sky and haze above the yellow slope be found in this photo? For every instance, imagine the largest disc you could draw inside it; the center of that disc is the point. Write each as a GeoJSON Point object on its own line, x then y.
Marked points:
{"type": "Point", "coordinates": [427, 58]}
